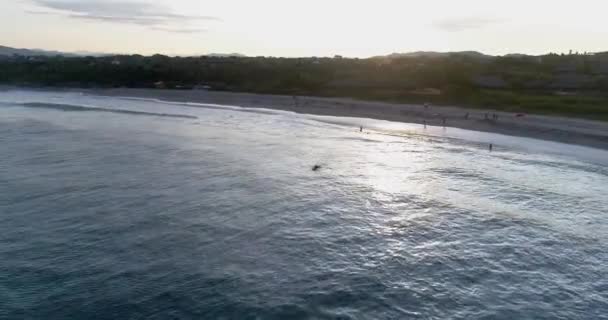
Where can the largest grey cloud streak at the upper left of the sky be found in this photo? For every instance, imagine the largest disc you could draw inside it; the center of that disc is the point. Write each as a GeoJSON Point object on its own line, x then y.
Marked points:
{"type": "Point", "coordinates": [119, 11]}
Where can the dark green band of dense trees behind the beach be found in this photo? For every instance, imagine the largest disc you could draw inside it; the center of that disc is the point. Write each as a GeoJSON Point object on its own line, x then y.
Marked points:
{"type": "Point", "coordinates": [561, 84]}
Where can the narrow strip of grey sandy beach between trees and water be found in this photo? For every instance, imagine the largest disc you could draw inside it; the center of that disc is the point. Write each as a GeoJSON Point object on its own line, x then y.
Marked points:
{"type": "Point", "coordinates": [576, 131]}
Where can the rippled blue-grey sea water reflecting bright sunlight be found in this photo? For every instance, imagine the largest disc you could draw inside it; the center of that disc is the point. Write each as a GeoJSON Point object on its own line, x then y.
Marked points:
{"type": "Point", "coordinates": [114, 208]}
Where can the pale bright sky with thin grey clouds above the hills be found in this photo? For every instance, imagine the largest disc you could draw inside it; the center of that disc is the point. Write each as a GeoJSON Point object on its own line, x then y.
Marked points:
{"type": "Point", "coordinates": [352, 28]}
